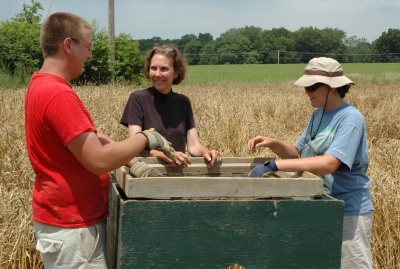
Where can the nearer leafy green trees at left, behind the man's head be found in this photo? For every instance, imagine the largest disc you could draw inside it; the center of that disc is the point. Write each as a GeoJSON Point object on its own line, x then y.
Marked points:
{"type": "Point", "coordinates": [20, 50]}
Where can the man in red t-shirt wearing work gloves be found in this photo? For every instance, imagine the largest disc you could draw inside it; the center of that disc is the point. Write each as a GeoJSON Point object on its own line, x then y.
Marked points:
{"type": "Point", "coordinates": [70, 158]}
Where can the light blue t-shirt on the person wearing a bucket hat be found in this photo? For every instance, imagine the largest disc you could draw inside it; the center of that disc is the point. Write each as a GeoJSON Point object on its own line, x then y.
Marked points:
{"type": "Point", "coordinates": [341, 134]}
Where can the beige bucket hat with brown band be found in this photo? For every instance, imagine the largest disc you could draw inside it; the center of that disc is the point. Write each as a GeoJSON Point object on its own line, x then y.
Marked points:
{"type": "Point", "coordinates": [323, 70]}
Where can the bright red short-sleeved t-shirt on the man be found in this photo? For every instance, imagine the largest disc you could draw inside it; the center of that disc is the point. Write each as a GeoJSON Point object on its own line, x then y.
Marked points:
{"type": "Point", "coordinates": [65, 193]}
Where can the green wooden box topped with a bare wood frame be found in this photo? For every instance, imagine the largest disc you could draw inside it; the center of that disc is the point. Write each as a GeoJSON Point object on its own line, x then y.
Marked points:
{"type": "Point", "coordinates": [220, 218]}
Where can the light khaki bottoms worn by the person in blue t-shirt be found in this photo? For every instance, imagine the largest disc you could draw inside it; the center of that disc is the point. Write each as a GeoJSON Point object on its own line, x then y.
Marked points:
{"type": "Point", "coordinates": [356, 245]}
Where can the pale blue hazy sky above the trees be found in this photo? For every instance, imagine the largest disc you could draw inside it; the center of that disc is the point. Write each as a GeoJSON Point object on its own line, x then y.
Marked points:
{"type": "Point", "coordinates": [172, 19]}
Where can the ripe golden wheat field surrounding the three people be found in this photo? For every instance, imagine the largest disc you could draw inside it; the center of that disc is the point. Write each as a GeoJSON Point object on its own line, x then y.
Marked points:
{"type": "Point", "coordinates": [227, 116]}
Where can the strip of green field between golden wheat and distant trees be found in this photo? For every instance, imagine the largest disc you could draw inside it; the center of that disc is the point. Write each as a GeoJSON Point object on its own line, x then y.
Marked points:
{"type": "Point", "coordinates": [375, 73]}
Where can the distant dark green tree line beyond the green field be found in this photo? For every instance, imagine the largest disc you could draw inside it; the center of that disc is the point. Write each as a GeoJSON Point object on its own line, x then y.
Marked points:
{"type": "Point", "coordinates": [254, 45]}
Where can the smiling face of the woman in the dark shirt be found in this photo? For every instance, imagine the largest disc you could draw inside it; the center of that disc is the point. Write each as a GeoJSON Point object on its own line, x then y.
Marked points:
{"type": "Point", "coordinates": [162, 73]}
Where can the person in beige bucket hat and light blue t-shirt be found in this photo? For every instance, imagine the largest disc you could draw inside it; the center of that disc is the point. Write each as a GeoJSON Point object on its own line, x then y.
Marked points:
{"type": "Point", "coordinates": [333, 146]}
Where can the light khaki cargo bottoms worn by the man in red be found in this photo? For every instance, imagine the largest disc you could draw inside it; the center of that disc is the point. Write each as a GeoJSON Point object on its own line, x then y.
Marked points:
{"type": "Point", "coordinates": [71, 247]}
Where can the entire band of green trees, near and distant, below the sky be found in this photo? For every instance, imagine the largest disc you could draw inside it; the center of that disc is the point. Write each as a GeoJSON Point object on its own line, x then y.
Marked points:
{"type": "Point", "coordinates": [20, 49]}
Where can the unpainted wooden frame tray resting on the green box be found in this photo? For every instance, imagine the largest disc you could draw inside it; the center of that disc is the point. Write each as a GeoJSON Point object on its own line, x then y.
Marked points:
{"type": "Point", "coordinates": [227, 180]}
